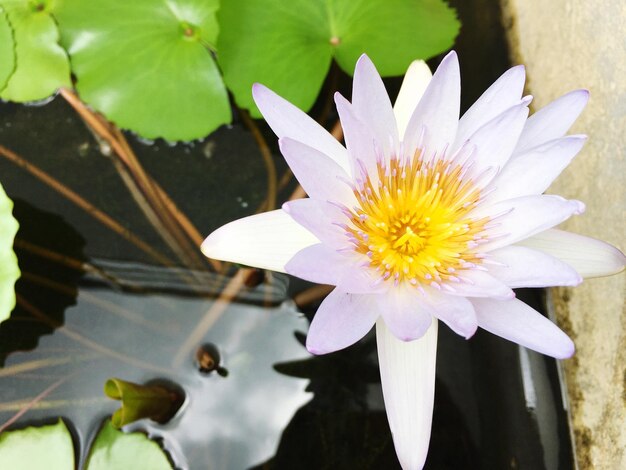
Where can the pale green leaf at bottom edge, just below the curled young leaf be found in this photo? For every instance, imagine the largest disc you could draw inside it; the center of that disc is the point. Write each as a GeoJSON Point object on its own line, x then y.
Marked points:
{"type": "Point", "coordinates": [116, 450]}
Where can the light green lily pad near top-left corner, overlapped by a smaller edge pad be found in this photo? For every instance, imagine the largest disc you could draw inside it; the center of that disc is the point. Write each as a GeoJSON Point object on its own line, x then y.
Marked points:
{"type": "Point", "coordinates": [42, 64]}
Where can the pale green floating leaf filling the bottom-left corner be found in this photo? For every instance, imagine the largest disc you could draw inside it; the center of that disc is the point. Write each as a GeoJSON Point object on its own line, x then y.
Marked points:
{"type": "Point", "coordinates": [34, 448]}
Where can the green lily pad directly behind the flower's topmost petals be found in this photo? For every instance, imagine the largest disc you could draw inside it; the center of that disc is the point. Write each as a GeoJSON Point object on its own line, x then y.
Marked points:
{"type": "Point", "coordinates": [288, 46]}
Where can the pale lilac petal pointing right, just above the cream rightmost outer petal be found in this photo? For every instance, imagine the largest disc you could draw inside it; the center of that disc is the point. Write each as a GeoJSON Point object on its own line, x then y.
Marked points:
{"type": "Point", "coordinates": [523, 217]}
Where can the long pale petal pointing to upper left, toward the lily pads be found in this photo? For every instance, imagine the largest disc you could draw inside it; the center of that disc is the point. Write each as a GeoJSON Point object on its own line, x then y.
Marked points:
{"type": "Point", "coordinates": [286, 120]}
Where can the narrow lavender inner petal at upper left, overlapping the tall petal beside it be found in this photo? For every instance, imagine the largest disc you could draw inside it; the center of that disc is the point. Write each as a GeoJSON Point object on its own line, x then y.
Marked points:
{"type": "Point", "coordinates": [359, 138]}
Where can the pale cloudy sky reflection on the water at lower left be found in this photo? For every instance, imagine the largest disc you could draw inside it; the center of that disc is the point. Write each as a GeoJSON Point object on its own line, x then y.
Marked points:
{"type": "Point", "coordinates": [232, 422]}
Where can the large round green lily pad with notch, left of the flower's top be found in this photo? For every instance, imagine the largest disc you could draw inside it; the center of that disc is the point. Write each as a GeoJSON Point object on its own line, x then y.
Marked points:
{"type": "Point", "coordinates": [146, 64]}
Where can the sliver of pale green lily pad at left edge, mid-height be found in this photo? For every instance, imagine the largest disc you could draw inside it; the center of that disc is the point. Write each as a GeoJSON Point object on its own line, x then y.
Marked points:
{"type": "Point", "coordinates": [9, 270]}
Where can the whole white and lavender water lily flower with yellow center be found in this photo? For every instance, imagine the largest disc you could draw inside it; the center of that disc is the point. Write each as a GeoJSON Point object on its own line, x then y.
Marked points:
{"type": "Point", "coordinates": [423, 217]}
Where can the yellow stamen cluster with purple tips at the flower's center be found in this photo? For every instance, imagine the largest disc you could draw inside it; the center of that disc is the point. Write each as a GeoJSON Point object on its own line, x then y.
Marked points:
{"type": "Point", "coordinates": [413, 223]}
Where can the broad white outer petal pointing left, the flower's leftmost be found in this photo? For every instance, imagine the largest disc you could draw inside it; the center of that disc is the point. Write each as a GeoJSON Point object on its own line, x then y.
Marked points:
{"type": "Point", "coordinates": [266, 241]}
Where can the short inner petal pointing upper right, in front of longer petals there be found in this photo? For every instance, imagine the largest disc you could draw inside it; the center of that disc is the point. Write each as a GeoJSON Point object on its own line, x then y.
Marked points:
{"type": "Point", "coordinates": [494, 142]}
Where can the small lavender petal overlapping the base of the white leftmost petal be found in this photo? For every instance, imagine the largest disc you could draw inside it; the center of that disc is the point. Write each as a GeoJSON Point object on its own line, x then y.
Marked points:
{"type": "Point", "coordinates": [321, 218]}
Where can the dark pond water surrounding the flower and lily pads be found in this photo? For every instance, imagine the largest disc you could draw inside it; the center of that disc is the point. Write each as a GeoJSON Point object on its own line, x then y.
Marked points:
{"type": "Point", "coordinates": [92, 306]}
